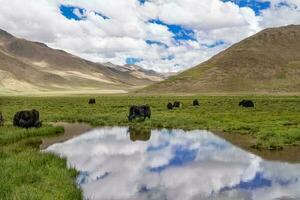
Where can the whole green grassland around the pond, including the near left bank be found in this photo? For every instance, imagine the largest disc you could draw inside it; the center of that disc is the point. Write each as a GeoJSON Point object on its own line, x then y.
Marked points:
{"type": "Point", "coordinates": [25, 173]}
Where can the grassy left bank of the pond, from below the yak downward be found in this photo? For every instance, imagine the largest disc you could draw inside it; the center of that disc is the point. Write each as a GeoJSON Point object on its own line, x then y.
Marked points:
{"type": "Point", "coordinates": [25, 173]}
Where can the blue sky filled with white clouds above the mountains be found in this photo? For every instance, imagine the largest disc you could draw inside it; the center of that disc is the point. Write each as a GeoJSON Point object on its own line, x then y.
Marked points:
{"type": "Point", "coordinates": [164, 35]}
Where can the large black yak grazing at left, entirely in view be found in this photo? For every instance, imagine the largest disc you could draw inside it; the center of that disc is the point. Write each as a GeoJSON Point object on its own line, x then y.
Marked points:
{"type": "Point", "coordinates": [27, 119]}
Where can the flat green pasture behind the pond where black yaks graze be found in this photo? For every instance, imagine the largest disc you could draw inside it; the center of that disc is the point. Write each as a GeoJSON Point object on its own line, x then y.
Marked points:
{"type": "Point", "coordinates": [274, 120]}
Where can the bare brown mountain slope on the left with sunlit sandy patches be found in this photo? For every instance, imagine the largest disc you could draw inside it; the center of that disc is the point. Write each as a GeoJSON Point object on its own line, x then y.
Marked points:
{"type": "Point", "coordinates": [27, 66]}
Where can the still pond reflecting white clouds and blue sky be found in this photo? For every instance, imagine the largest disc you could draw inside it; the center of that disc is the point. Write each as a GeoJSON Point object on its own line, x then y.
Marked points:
{"type": "Point", "coordinates": [124, 163]}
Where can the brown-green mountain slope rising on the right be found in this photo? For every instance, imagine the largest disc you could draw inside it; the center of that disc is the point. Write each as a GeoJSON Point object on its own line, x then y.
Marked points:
{"type": "Point", "coordinates": [267, 62]}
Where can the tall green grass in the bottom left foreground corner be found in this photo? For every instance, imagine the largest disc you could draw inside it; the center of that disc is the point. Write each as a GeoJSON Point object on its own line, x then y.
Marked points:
{"type": "Point", "coordinates": [28, 174]}
